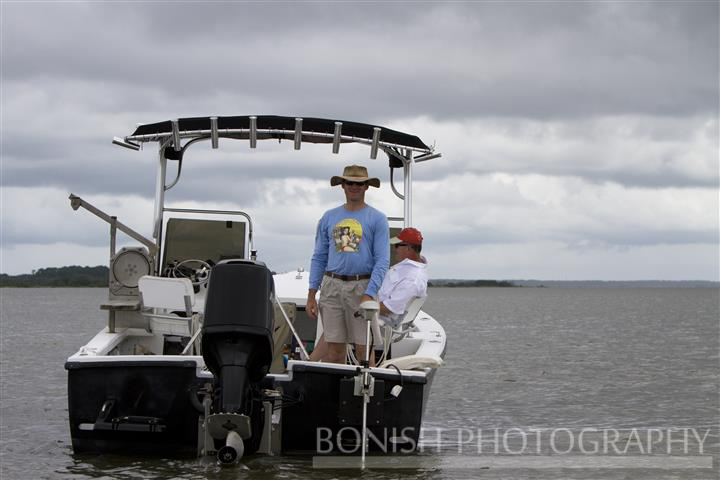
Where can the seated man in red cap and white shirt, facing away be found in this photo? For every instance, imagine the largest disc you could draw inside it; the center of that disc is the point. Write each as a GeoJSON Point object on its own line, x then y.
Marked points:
{"type": "Point", "coordinates": [403, 281]}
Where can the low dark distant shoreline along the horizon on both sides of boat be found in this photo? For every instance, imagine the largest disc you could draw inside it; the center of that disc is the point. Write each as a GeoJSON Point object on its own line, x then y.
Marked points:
{"type": "Point", "coordinates": [77, 276]}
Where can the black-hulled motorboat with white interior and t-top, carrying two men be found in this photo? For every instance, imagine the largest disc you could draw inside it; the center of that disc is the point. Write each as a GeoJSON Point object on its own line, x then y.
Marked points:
{"type": "Point", "coordinates": [205, 351]}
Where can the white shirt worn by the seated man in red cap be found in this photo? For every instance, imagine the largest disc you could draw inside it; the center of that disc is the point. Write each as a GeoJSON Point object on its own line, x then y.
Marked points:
{"type": "Point", "coordinates": [403, 281]}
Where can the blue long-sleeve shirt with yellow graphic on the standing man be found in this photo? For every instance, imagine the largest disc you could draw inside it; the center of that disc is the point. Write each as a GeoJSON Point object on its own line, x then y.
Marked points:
{"type": "Point", "coordinates": [351, 243]}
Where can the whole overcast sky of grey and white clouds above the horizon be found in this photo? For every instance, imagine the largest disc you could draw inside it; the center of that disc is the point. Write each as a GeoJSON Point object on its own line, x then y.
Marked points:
{"type": "Point", "coordinates": [579, 140]}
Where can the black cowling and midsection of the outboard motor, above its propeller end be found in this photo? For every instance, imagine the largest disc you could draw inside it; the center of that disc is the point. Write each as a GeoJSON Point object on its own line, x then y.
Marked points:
{"type": "Point", "coordinates": [237, 341]}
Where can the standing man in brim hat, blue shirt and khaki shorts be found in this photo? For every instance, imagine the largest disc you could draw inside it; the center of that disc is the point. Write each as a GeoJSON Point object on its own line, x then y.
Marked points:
{"type": "Point", "coordinates": [350, 260]}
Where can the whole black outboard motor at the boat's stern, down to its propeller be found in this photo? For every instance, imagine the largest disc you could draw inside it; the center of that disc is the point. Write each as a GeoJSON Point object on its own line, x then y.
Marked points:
{"type": "Point", "coordinates": [237, 346]}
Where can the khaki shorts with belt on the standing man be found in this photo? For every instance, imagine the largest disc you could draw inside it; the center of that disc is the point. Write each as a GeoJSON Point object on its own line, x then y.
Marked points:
{"type": "Point", "coordinates": [339, 301]}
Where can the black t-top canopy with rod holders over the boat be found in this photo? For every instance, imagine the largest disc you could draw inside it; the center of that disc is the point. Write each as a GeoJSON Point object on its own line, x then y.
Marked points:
{"type": "Point", "coordinates": [313, 130]}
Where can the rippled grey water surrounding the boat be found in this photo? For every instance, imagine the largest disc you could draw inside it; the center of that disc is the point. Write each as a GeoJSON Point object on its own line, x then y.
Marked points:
{"type": "Point", "coordinates": [525, 361]}
